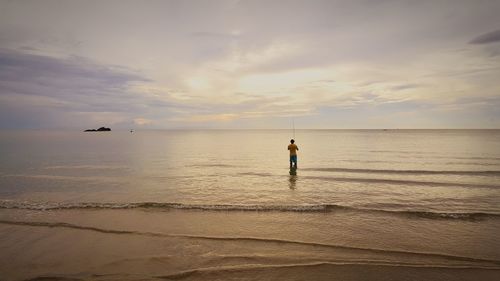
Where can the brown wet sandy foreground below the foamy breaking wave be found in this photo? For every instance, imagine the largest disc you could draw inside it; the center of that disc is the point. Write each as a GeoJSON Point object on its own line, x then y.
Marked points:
{"type": "Point", "coordinates": [221, 245]}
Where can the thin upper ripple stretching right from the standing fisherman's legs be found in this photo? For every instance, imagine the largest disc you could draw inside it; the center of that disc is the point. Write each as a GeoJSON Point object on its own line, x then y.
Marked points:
{"type": "Point", "coordinates": [407, 172]}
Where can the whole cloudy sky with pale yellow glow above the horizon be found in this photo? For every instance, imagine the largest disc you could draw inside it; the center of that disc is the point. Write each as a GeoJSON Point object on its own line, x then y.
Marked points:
{"type": "Point", "coordinates": [253, 64]}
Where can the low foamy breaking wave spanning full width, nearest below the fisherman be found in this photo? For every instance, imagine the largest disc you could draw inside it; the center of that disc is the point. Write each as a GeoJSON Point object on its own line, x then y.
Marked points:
{"type": "Point", "coordinates": [310, 208]}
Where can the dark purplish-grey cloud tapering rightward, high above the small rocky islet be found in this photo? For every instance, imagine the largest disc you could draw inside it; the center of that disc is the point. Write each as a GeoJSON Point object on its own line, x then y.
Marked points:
{"type": "Point", "coordinates": [25, 73]}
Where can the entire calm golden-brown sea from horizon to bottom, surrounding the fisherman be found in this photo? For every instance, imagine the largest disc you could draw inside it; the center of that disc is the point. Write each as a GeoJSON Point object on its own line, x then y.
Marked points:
{"type": "Point", "coordinates": [224, 205]}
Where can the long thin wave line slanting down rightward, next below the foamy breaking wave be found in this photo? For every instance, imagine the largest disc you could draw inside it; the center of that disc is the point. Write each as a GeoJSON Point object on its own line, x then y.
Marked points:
{"type": "Point", "coordinates": [251, 239]}
